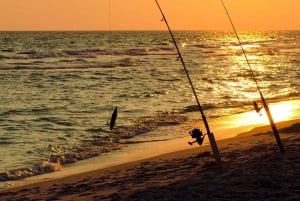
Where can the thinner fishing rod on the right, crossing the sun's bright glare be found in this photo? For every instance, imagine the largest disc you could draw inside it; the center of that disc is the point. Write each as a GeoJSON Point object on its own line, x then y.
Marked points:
{"type": "Point", "coordinates": [267, 109]}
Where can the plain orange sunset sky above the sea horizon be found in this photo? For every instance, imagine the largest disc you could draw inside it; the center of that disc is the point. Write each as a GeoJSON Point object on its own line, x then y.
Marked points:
{"type": "Point", "coordinates": [144, 14]}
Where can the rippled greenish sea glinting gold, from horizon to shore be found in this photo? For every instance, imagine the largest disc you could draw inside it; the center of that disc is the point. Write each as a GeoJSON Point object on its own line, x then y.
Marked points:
{"type": "Point", "coordinates": [59, 89]}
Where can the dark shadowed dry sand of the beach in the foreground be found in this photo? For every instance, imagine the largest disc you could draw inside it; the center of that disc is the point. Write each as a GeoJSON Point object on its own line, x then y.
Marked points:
{"type": "Point", "coordinates": [253, 169]}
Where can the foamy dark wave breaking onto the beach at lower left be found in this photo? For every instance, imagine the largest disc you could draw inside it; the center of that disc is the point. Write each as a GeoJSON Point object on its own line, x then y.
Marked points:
{"type": "Point", "coordinates": [101, 142]}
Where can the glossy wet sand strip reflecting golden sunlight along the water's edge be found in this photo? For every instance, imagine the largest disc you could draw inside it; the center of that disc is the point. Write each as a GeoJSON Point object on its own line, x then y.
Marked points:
{"type": "Point", "coordinates": [224, 128]}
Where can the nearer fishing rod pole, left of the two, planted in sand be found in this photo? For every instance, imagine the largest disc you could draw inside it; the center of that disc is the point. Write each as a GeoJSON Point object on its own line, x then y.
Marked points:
{"type": "Point", "coordinates": [209, 133]}
